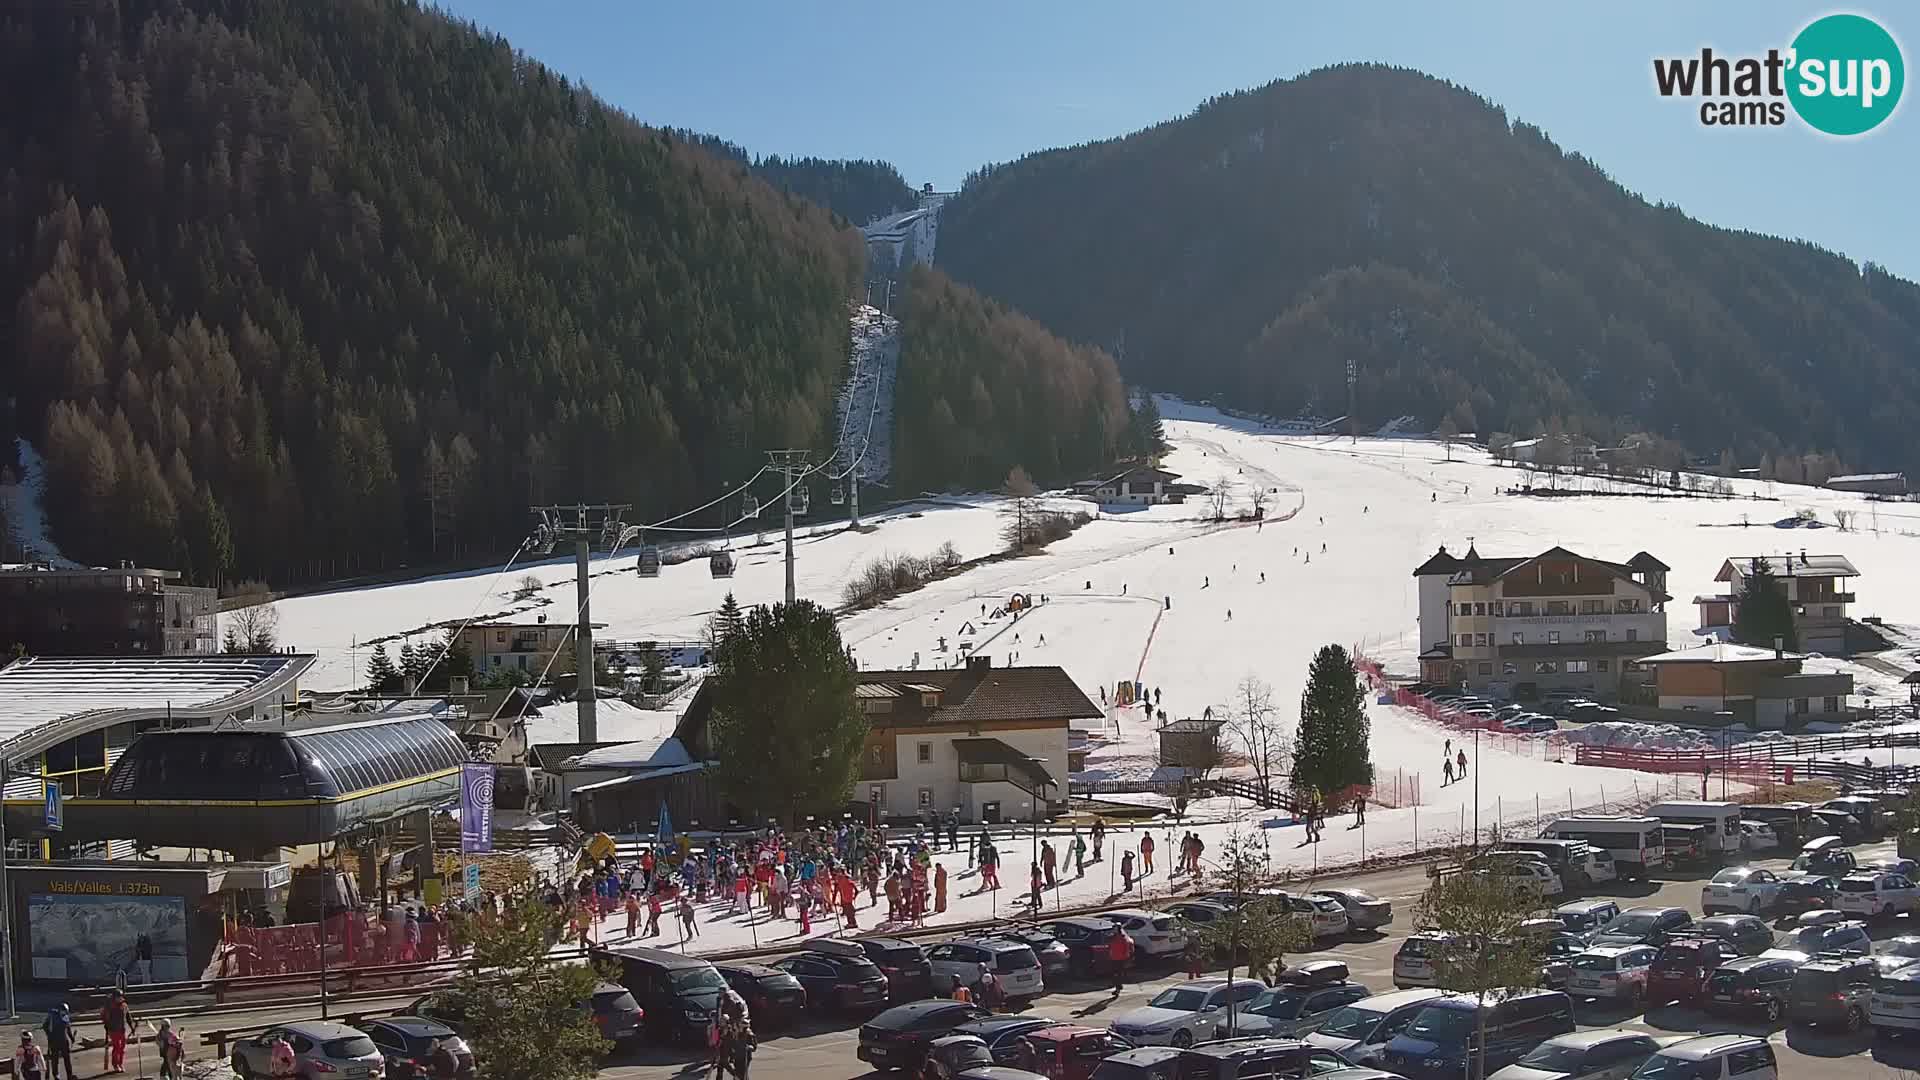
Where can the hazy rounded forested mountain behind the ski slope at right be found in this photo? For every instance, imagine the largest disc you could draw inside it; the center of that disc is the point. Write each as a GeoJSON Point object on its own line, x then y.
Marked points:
{"type": "Point", "coordinates": [1458, 258]}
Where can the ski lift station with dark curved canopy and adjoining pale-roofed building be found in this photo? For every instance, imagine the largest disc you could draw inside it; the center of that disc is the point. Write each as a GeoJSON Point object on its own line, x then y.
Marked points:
{"type": "Point", "coordinates": [116, 760]}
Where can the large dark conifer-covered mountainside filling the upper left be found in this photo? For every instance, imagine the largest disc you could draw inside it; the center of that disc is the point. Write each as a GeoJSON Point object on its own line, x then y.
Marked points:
{"type": "Point", "coordinates": [302, 289]}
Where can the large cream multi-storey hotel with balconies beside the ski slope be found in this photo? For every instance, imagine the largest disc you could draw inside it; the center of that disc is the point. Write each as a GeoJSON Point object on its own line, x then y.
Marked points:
{"type": "Point", "coordinates": [1543, 622]}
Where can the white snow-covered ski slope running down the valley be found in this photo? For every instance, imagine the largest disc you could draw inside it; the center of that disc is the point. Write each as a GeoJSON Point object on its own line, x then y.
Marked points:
{"type": "Point", "coordinates": [1380, 506]}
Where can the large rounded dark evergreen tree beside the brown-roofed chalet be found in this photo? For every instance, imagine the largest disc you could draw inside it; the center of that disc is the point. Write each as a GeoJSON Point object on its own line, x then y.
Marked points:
{"type": "Point", "coordinates": [786, 681]}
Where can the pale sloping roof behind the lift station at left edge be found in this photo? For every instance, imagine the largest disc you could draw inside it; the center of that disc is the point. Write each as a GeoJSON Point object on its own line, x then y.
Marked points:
{"type": "Point", "coordinates": [47, 700]}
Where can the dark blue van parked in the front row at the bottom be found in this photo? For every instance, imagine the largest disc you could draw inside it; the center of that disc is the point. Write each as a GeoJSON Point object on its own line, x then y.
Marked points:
{"type": "Point", "coordinates": [1441, 1043]}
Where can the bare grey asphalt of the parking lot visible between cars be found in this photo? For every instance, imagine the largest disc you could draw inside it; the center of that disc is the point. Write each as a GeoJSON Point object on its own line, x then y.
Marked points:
{"type": "Point", "coordinates": [825, 1048]}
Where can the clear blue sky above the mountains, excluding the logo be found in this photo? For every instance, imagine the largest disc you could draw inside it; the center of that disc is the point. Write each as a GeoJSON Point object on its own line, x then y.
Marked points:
{"type": "Point", "coordinates": [940, 89]}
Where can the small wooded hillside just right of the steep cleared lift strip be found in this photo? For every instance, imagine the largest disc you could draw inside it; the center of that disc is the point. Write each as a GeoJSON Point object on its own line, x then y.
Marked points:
{"type": "Point", "coordinates": [984, 389]}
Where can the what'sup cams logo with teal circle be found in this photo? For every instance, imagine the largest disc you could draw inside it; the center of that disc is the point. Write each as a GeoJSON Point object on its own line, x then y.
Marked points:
{"type": "Point", "coordinates": [1842, 76]}
